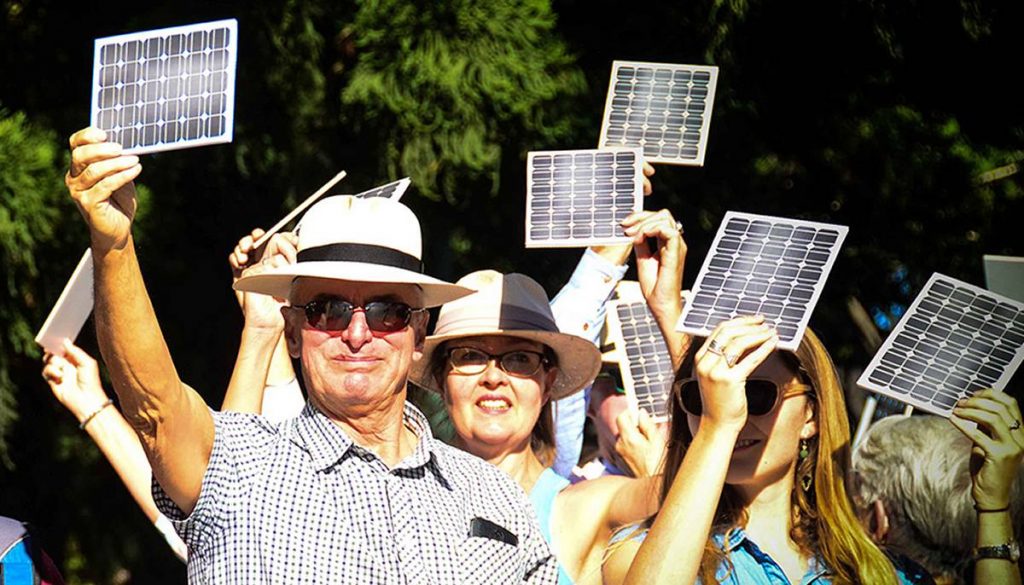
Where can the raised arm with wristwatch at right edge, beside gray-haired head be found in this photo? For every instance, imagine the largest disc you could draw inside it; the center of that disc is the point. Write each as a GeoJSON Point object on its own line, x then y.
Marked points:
{"type": "Point", "coordinates": [999, 449]}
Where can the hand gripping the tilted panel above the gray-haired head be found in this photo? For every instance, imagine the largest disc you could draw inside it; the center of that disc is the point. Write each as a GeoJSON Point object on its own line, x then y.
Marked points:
{"type": "Point", "coordinates": [999, 445]}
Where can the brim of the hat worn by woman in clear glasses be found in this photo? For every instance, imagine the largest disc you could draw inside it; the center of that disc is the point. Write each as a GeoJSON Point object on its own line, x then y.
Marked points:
{"type": "Point", "coordinates": [579, 360]}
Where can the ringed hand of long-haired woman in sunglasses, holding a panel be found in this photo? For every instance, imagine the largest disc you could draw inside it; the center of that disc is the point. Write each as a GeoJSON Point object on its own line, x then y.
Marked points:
{"type": "Point", "coordinates": [724, 363]}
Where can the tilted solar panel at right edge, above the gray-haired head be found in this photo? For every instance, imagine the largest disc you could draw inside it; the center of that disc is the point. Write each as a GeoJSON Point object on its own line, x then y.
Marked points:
{"type": "Point", "coordinates": [955, 341]}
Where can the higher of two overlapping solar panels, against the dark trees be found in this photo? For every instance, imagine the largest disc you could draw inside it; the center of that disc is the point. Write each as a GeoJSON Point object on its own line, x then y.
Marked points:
{"type": "Point", "coordinates": [664, 109]}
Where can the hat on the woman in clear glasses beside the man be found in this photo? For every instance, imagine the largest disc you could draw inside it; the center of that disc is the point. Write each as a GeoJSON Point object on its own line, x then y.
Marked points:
{"type": "Point", "coordinates": [511, 306]}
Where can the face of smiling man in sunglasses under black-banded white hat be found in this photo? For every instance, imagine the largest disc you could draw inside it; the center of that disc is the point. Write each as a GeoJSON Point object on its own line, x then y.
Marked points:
{"type": "Point", "coordinates": [356, 370]}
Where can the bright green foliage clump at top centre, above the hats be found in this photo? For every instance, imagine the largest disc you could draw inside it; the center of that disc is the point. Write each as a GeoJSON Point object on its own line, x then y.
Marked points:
{"type": "Point", "coordinates": [449, 86]}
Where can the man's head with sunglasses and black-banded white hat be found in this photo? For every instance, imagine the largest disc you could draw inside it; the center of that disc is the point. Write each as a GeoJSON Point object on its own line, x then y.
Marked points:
{"type": "Point", "coordinates": [358, 299]}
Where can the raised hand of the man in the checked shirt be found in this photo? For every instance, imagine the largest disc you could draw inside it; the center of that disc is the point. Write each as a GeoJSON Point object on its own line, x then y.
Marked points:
{"type": "Point", "coordinates": [101, 183]}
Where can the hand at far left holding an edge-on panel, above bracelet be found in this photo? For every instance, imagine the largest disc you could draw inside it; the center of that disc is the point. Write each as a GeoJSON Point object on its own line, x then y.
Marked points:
{"type": "Point", "coordinates": [74, 380]}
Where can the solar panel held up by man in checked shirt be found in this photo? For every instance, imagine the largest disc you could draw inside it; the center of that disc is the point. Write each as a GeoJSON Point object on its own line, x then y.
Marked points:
{"type": "Point", "coordinates": [172, 89]}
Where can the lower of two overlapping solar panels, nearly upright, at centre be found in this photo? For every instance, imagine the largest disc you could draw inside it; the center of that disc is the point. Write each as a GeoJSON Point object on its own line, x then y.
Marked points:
{"type": "Point", "coordinates": [580, 198]}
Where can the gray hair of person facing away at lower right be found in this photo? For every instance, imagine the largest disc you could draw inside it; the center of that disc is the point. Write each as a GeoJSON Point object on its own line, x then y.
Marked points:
{"type": "Point", "coordinates": [919, 468]}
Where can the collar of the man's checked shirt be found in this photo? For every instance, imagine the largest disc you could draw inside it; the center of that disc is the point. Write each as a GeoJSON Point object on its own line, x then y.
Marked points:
{"type": "Point", "coordinates": [328, 444]}
